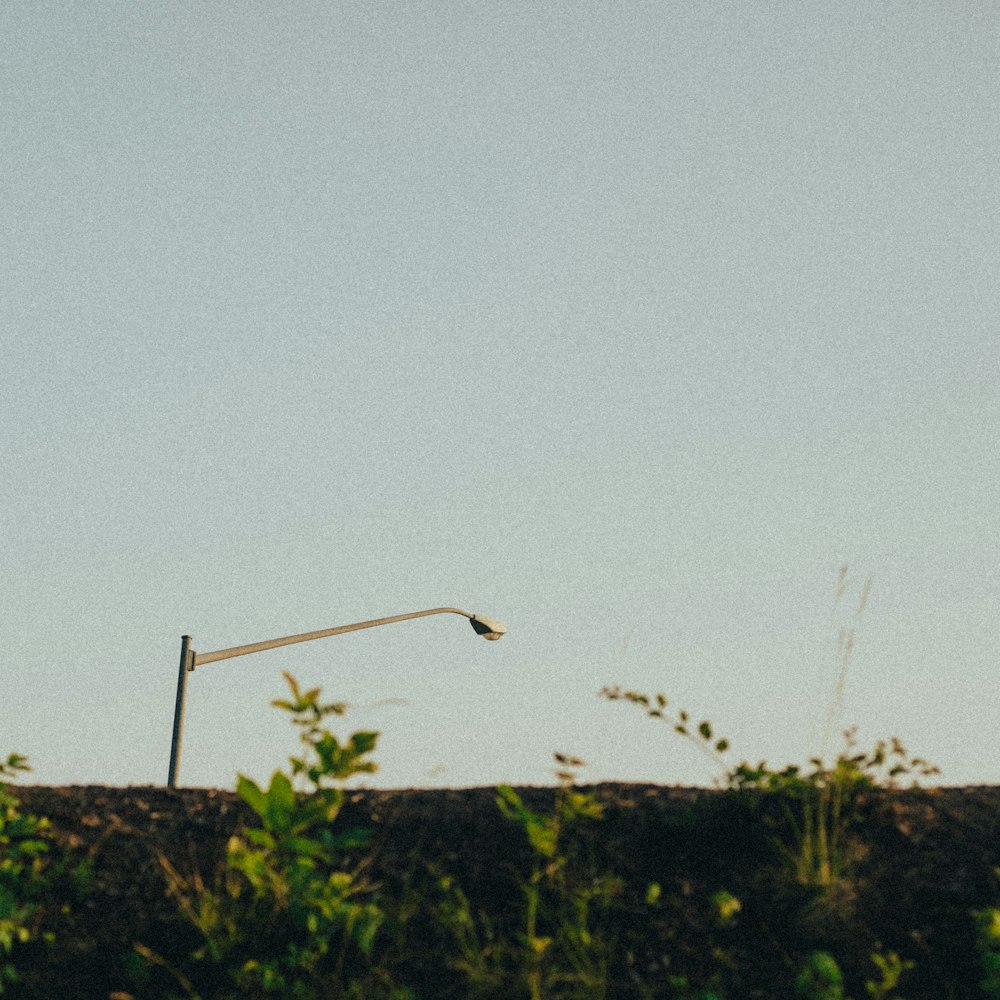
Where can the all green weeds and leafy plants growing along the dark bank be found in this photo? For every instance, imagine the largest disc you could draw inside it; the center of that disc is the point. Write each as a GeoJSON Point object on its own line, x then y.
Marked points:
{"type": "Point", "coordinates": [763, 889]}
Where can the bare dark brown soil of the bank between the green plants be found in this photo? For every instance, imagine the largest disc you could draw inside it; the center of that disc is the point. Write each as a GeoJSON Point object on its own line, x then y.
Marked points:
{"type": "Point", "coordinates": [924, 861]}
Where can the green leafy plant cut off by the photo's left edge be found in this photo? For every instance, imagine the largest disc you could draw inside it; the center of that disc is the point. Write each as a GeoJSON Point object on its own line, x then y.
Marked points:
{"type": "Point", "coordinates": [24, 881]}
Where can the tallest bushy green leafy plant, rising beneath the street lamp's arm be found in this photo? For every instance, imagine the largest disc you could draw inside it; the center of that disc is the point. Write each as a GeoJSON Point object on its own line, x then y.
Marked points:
{"type": "Point", "coordinates": [284, 920]}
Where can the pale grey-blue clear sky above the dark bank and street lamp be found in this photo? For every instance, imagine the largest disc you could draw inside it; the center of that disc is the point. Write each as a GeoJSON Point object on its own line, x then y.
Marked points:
{"type": "Point", "coordinates": [626, 324]}
